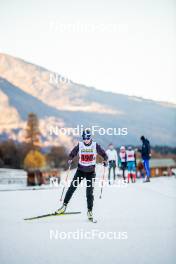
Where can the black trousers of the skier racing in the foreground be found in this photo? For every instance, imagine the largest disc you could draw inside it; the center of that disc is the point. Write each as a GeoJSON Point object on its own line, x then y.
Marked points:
{"type": "Point", "coordinates": [80, 175]}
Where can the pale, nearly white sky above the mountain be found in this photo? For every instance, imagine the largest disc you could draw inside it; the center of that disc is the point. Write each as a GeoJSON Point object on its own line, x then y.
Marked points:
{"type": "Point", "coordinates": [120, 46]}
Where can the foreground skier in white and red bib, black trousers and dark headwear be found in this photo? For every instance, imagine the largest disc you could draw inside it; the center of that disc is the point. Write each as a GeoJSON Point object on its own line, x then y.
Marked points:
{"type": "Point", "coordinates": [87, 151]}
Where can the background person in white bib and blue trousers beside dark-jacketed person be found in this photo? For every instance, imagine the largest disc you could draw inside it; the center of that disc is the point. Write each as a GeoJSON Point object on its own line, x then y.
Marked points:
{"type": "Point", "coordinates": [131, 164]}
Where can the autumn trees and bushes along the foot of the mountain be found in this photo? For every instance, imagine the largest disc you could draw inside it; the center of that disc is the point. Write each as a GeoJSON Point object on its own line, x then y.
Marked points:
{"type": "Point", "coordinates": [30, 154]}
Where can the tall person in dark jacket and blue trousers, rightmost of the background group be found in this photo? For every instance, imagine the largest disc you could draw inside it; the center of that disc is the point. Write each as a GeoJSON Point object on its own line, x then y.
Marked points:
{"type": "Point", "coordinates": [146, 155]}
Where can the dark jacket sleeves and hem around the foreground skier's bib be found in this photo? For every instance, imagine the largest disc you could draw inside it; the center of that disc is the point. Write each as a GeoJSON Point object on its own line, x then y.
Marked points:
{"type": "Point", "coordinates": [91, 168]}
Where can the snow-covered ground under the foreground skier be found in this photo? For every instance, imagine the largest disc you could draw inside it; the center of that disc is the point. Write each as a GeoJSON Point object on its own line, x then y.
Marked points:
{"type": "Point", "coordinates": [145, 213]}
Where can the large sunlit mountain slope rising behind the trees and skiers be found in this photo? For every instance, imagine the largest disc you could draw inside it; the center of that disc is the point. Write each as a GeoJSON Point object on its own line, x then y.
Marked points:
{"type": "Point", "coordinates": [74, 104]}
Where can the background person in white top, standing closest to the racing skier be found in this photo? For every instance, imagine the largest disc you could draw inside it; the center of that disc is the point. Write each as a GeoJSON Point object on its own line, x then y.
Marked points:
{"type": "Point", "coordinates": [112, 161]}
